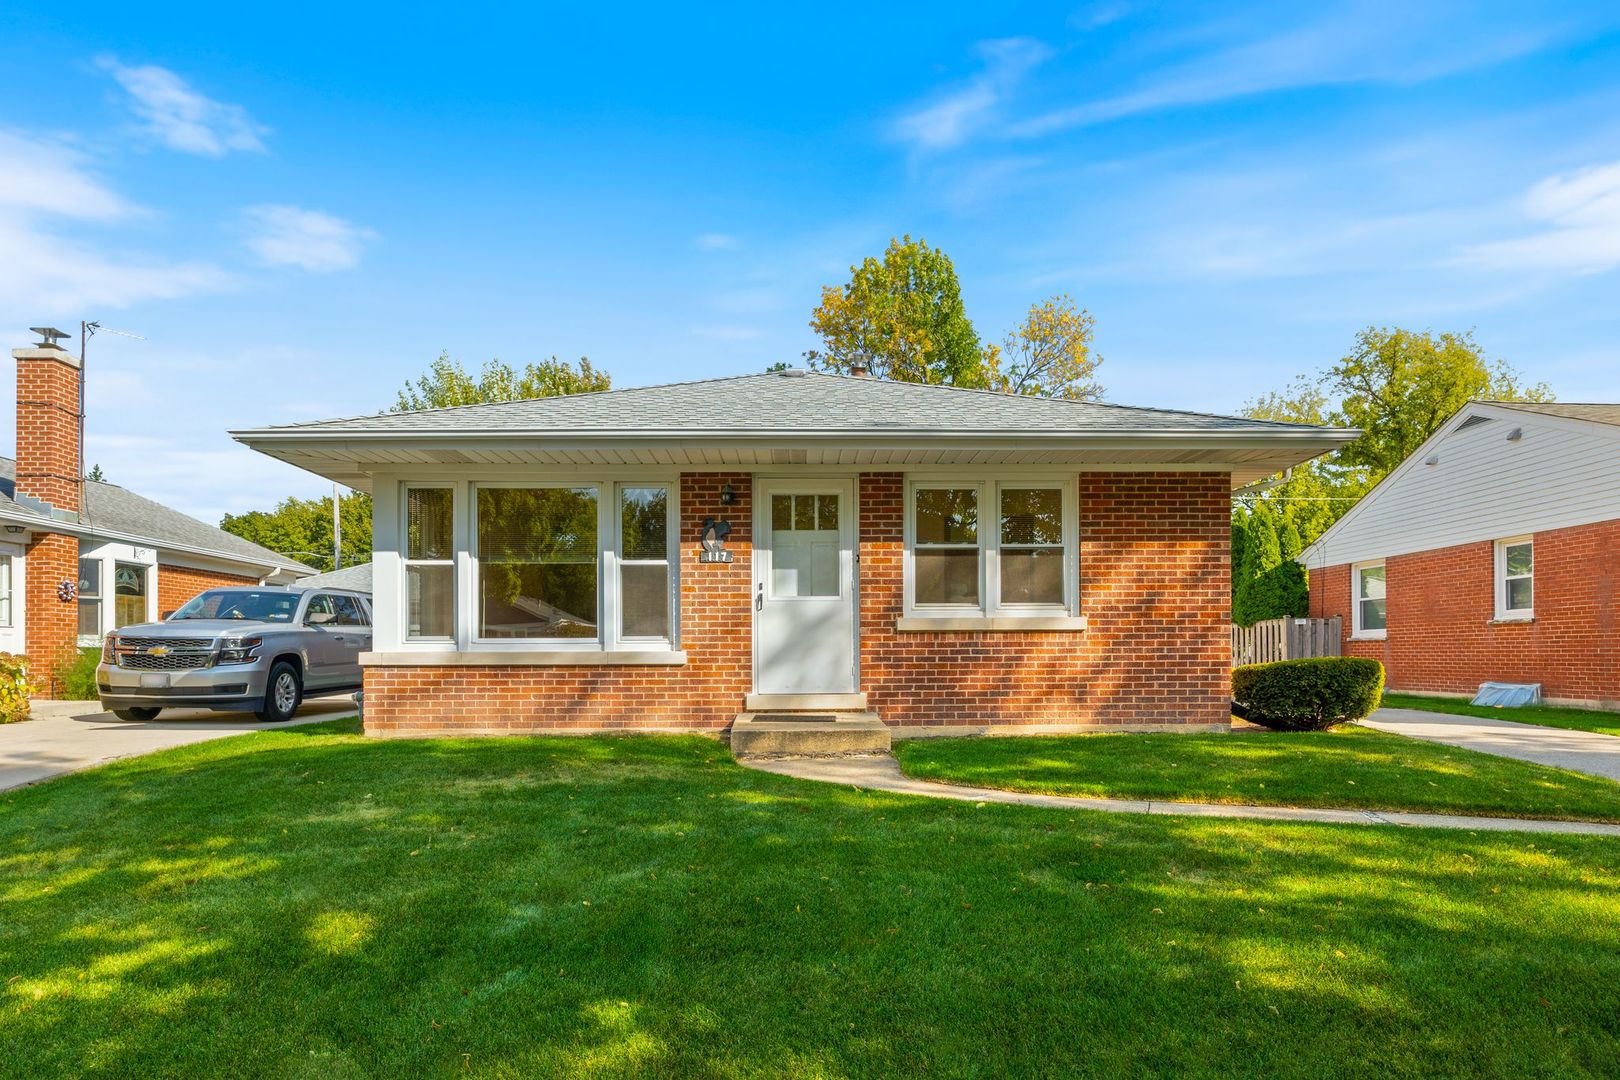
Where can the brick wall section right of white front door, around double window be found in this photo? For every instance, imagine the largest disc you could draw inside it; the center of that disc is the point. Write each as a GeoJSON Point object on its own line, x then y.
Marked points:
{"type": "Point", "coordinates": [1154, 589]}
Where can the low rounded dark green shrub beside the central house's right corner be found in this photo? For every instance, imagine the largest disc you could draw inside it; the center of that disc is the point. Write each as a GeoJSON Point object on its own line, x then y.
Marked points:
{"type": "Point", "coordinates": [1307, 695]}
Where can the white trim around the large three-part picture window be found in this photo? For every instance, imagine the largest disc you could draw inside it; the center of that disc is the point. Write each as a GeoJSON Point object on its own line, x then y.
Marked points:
{"type": "Point", "coordinates": [610, 527]}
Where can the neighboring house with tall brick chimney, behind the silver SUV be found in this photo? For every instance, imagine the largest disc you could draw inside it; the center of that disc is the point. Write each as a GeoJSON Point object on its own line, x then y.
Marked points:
{"type": "Point", "coordinates": [82, 558]}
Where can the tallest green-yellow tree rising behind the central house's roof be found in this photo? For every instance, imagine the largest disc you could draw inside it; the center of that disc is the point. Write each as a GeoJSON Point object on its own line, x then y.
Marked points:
{"type": "Point", "coordinates": [902, 318]}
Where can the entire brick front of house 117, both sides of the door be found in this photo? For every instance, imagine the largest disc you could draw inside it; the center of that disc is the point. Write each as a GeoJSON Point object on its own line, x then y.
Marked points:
{"type": "Point", "coordinates": [1154, 568]}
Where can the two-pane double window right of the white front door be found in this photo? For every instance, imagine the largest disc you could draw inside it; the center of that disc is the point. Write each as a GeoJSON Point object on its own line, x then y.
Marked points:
{"type": "Point", "coordinates": [992, 548]}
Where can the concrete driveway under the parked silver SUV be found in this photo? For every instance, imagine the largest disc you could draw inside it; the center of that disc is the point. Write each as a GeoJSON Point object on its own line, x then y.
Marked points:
{"type": "Point", "coordinates": [72, 736]}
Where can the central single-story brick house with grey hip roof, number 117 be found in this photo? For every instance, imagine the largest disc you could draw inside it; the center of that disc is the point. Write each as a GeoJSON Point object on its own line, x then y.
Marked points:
{"type": "Point", "coordinates": [665, 558]}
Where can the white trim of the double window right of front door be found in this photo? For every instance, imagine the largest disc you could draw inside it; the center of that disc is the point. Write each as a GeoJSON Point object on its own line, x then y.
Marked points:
{"type": "Point", "coordinates": [991, 614]}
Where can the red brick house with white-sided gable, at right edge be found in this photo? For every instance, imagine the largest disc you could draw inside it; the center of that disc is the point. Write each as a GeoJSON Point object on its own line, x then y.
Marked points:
{"type": "Point", "coordinates": [1491, 555]}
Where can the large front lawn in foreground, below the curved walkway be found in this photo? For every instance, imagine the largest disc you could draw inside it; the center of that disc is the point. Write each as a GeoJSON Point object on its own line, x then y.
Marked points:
{"type": "Point", "coordinates": [307, 903]}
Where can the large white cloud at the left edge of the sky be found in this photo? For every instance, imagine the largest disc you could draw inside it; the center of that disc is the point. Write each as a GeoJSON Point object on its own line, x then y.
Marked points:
{"type": "Point", "coordinates": [46, 271]}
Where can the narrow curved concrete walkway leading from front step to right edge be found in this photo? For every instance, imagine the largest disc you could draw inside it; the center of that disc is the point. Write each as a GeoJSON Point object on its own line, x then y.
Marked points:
{"type": "Point", "coordinates": [880, 773]}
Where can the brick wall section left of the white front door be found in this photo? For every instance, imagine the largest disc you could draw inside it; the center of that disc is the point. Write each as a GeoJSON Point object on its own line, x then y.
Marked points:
{"type": "Point", "coordinates": [717, 634]}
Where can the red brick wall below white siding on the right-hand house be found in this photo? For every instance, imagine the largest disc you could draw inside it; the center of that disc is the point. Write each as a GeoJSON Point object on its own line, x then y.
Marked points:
{"type": "Point", "coordinates": [1441, 610]}
